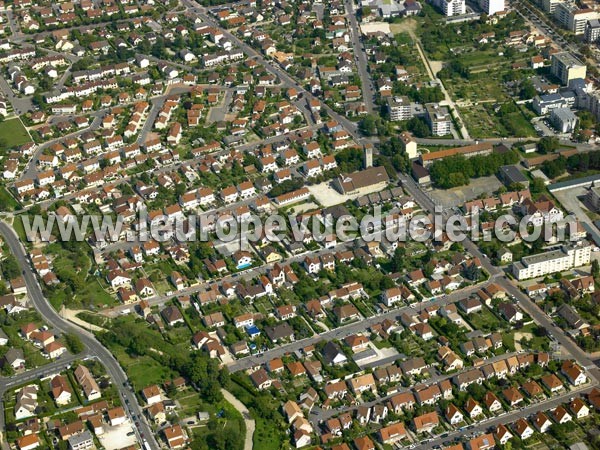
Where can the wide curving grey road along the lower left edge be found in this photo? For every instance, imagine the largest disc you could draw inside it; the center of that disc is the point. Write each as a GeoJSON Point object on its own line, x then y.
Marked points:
{"type": "Point", "coordinates": [93, 347]}
